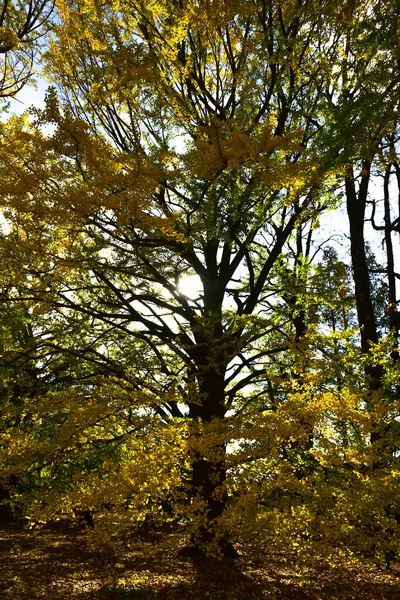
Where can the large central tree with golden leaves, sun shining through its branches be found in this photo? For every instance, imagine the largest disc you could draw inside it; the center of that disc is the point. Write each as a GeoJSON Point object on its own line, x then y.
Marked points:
{"type": "Point", "coordinates": [190, 140]}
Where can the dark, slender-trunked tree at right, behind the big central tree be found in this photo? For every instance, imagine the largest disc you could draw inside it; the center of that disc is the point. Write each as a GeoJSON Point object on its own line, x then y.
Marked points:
{"type": "Point", "coordinates": [374, 60]}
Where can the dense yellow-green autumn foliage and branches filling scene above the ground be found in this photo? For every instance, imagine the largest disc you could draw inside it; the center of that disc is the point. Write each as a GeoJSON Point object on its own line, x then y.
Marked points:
{"type": "Point", "coordinates": [180, 341]}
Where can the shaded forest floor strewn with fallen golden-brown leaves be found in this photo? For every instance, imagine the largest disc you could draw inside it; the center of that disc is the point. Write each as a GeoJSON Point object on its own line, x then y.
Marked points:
{"type": "Point", "coordinates": [56, 563]}
